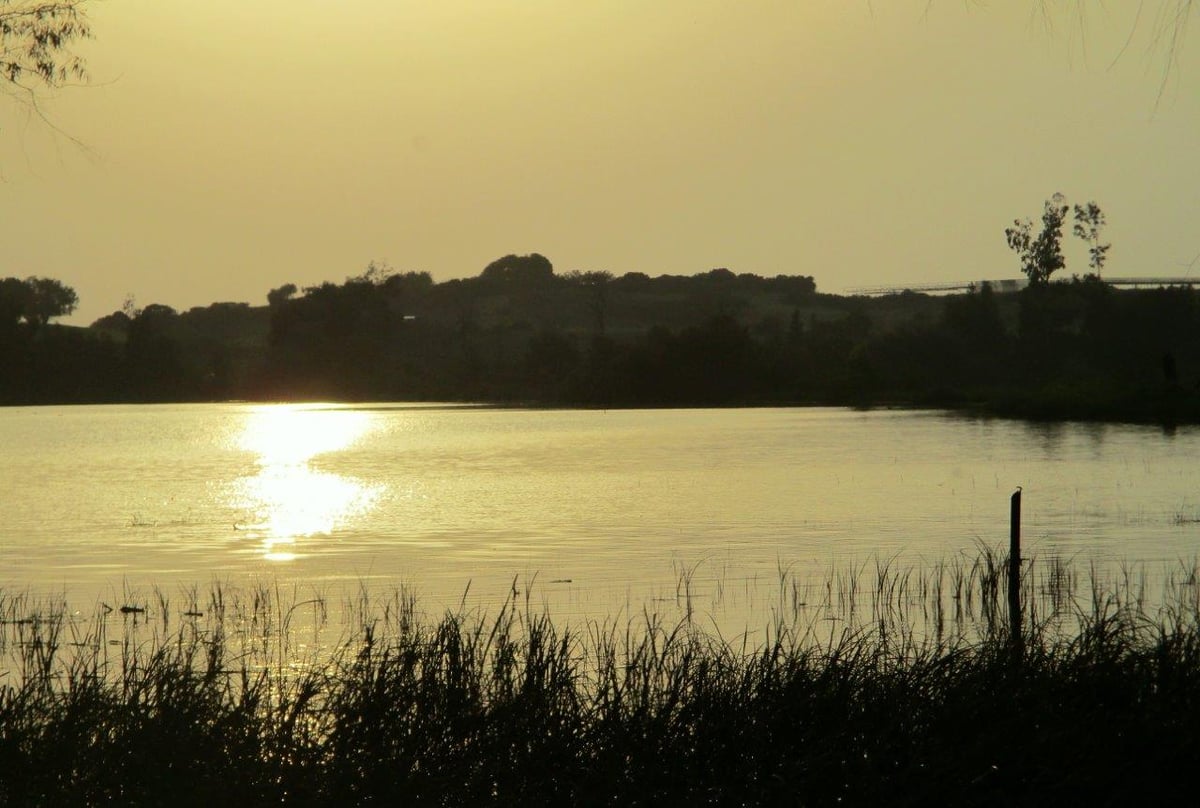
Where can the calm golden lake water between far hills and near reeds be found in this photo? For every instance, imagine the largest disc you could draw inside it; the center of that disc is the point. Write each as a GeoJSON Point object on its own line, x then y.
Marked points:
{"type": "Point", "coordinates": [610, 511]}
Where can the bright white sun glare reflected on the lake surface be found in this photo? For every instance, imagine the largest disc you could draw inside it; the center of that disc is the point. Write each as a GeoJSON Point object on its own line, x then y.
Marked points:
{"type": "Point", "coordinates": [290, 500]}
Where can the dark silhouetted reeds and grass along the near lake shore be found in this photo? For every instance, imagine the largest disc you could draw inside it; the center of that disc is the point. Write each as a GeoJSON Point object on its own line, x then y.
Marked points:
{"type": "Point", "coordinates": [514, 710]}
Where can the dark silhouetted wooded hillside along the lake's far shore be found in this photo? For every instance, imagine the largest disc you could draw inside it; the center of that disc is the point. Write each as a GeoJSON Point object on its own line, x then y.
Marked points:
{"type": "Point", "coordinates": [519, 333]}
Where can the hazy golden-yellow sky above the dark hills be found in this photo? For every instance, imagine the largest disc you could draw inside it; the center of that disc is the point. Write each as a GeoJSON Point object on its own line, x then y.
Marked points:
{"type": "Point", "coordinates": [236, 146]}
